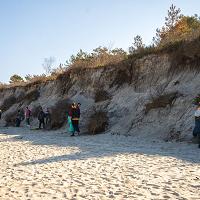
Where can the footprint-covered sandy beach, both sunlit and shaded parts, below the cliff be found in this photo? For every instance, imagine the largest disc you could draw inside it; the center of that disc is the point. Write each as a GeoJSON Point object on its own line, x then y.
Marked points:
{"type": "Point", "coordinates": [49, 165]}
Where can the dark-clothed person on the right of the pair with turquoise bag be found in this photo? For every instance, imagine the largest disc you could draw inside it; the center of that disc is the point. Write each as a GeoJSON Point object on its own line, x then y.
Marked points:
{"type": "Point", "coordinates": [75, 118]}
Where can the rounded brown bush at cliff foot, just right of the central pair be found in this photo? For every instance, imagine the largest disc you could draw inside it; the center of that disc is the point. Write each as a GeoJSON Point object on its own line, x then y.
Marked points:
{"type": "Point", "coordinates": [98, 122]}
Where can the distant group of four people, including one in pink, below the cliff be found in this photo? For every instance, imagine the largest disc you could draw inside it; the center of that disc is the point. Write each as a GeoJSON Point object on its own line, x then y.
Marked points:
{"type": "Point", "coordinates": [44, 118]}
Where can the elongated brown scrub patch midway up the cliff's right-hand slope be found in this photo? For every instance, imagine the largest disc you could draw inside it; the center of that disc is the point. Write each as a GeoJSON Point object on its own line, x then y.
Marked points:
{"type": "Point", "coordinates": [162, 101]}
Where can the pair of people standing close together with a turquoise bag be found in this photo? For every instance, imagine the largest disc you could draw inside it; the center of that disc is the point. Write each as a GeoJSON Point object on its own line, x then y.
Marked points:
{"type": "Point", "coordinates": [73, 118]}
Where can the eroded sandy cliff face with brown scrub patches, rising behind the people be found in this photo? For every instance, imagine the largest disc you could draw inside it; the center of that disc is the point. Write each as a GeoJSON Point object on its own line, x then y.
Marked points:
{"type": "Point", "coordinates": [140, 96]}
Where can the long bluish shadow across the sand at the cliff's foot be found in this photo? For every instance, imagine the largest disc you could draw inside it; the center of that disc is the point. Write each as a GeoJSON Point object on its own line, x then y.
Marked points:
{"type": "Point", "coordinates": [101, 145]}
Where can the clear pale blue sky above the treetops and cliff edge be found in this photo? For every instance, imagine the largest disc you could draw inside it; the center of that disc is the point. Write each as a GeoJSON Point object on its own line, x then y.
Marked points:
{"type": "Point", "coordinates": [31, 30]}
